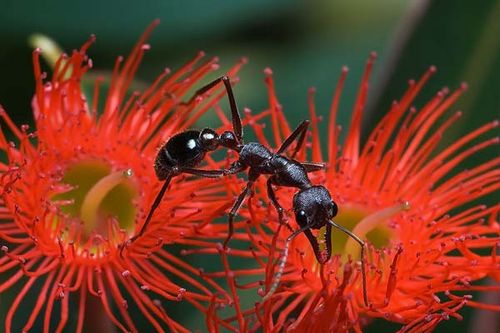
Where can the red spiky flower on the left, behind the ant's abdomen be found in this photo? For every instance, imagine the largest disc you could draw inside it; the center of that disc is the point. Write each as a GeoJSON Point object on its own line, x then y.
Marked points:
{"type": "Point", "coordinates": [80, 185]}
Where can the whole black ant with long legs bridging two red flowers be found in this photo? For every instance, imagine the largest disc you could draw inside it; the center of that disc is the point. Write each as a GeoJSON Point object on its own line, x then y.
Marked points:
{"type": "Point", "coordinates": [312, 205]}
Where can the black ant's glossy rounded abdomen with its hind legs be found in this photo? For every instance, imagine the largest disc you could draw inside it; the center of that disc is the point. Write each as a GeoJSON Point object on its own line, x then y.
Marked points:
{"type": "Point", "coordinates": [186, 150]}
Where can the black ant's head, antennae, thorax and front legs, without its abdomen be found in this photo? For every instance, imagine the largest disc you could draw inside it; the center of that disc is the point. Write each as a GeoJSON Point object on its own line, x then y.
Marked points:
{"type": "Point", "coordinates": [312, 204]}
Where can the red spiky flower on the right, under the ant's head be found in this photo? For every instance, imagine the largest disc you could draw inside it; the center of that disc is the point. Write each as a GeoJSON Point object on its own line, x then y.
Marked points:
{"type": "Point", "coordinates": [429, 240]}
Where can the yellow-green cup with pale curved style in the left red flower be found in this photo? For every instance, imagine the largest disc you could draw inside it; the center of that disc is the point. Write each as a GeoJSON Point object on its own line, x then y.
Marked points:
{"type": "Point", "coordinates": [97, 196]}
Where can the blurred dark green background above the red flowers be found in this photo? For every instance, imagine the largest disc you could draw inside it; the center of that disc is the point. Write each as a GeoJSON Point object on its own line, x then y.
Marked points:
{"type": "Point", "coordinates": [304, 42]}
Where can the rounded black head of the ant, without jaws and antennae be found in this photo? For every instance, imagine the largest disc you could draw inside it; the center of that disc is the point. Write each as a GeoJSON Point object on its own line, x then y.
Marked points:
{"type": "Point", "coordinates": [314, 207]}
